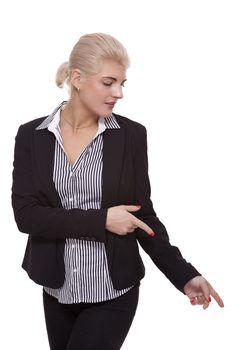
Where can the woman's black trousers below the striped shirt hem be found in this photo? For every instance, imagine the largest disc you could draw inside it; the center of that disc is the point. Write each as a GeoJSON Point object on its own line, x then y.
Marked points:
{"type": "Point", "coordinates": [90, 326]}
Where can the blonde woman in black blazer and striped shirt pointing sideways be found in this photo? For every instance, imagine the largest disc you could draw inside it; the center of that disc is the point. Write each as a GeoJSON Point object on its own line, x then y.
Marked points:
{"type": "Point", "coordinates": [81, 191]}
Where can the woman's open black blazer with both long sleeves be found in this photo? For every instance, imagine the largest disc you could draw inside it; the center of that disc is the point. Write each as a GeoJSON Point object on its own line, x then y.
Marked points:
{"type": "Point", "coordinates": [38, 210]}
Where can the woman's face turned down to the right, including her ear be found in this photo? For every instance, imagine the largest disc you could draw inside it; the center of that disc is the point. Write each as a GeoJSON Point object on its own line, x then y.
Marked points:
{"type": "Point", "coordinates": [99, 93]}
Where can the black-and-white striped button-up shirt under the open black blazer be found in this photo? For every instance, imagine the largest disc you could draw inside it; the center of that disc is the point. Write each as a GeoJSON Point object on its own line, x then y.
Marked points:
{"type": "Point", "coordinates": [79, 185]}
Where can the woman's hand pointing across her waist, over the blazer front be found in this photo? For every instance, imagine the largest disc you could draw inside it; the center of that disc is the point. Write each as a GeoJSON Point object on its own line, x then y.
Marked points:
{"type": "Point", "coordinates": [120, 221]}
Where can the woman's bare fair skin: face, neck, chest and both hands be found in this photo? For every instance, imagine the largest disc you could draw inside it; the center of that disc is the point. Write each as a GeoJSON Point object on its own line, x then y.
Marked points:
{"type": "Point", "coordinates": [94, 96]}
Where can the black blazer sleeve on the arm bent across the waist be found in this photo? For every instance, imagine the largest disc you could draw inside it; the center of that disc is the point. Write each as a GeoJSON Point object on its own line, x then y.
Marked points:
{"type": "Point", "coordinates": [34, 217]}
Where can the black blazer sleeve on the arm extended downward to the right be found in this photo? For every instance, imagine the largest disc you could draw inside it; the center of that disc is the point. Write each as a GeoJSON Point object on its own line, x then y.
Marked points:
{"type": "Point", "coordinates": [167, 257]}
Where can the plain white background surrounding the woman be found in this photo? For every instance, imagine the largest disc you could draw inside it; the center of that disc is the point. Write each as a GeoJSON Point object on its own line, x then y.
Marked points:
{"type": "Point", "coordinates": [180, 87]}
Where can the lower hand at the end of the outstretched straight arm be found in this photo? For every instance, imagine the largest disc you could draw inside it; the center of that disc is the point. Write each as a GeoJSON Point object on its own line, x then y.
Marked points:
{"type": "Point", "coordinates": [199, 290]}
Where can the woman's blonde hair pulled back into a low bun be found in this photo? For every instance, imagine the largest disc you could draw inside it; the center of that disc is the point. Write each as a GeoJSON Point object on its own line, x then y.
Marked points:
{"type": "Point", "coordinates": [88, 53]}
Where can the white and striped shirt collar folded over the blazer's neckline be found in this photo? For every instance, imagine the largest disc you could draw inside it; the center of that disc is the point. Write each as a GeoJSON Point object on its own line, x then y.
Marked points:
{"type": "Point", "coordinates": [52, 121]}
